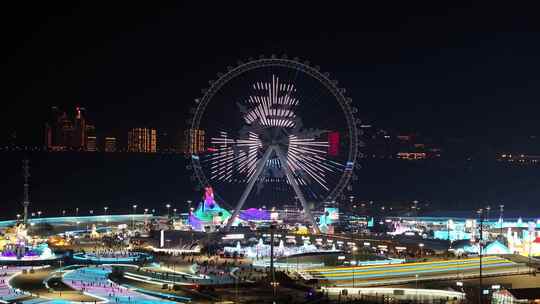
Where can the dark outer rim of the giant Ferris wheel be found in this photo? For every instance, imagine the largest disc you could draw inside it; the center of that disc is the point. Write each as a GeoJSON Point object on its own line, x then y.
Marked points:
{"type": "Point", "coordinates": [295, 64]}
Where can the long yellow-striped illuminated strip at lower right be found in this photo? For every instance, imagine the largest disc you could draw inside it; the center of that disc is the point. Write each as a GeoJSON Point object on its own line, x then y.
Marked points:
{"type": "Point", "coordinates": [411, 272]}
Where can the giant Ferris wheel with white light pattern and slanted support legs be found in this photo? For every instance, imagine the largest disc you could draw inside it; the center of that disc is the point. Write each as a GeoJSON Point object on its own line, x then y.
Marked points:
{"type": "Point", "coordinates": [277, 130]}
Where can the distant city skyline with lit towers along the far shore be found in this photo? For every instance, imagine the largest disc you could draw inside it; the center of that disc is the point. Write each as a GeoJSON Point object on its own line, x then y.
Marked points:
{"type": "Point", "coordinates": [410, 145]}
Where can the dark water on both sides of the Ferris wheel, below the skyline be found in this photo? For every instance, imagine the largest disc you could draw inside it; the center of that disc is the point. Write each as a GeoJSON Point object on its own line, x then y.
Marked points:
{"type": "Point", "coordinates": [118, 180]}
